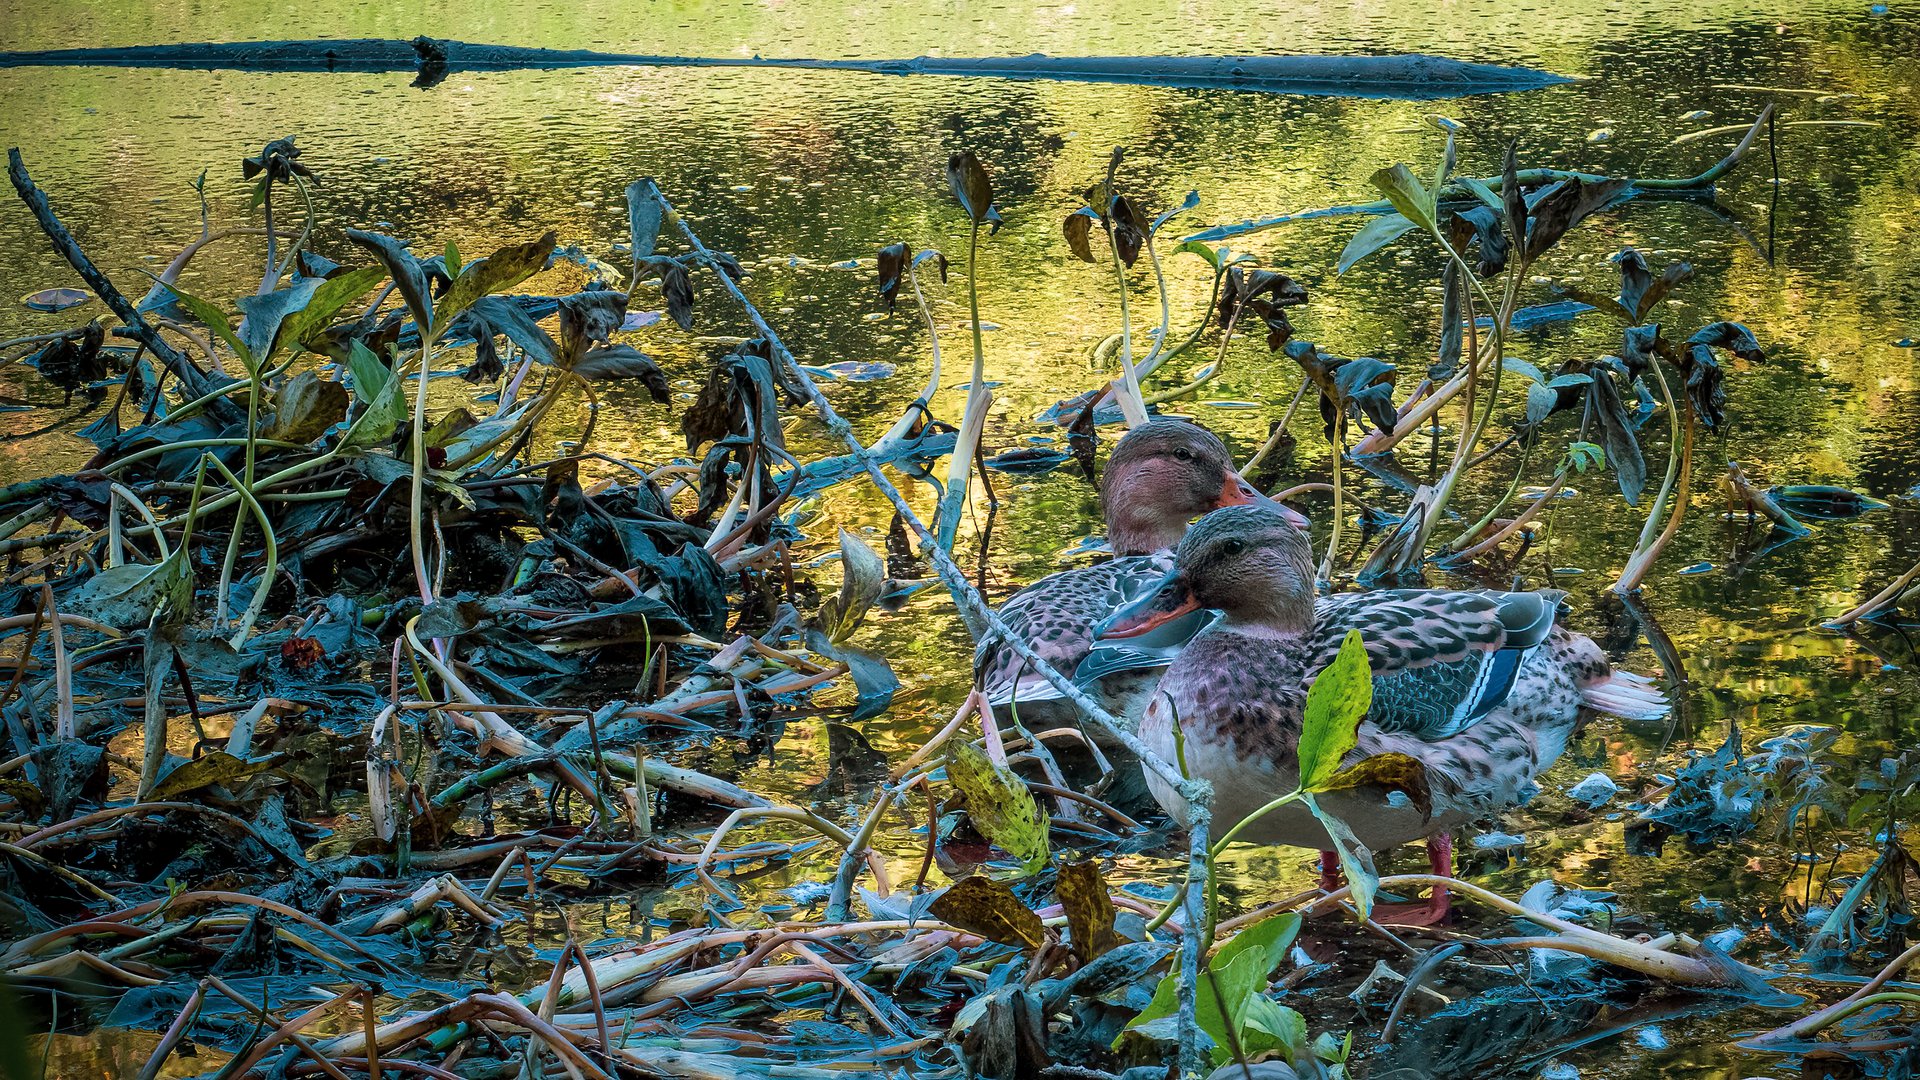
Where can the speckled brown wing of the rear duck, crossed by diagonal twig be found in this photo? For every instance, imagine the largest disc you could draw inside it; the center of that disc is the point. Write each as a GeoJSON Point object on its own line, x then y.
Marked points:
{"type": "Point", "coordinates": [1057, 618]}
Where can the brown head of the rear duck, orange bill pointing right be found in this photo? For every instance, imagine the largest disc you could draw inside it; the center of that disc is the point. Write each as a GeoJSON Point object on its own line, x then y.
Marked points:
{"type": "Point", "coordinates": [1166, 474]}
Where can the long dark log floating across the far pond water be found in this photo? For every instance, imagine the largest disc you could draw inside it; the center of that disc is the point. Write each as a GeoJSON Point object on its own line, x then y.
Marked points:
{"type": "Point", "coordinates": [431, 61]}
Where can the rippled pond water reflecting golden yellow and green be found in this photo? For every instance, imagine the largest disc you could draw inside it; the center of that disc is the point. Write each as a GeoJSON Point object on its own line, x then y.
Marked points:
{"type": "Point", "coordinates": [802, 174]}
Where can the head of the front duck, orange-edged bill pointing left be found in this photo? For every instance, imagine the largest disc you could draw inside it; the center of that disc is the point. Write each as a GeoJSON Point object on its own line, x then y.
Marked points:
{"type": "Point", "coordinates": [1247, 562]}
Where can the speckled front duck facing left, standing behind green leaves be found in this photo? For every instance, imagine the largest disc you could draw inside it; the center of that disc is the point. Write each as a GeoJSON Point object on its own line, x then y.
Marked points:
{"type": "Point", "coordinates": [1479, 687]}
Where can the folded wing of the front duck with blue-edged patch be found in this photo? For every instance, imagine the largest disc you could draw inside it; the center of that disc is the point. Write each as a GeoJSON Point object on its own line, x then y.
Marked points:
{"type": "Point", "coordinates": [1441, 660]}
